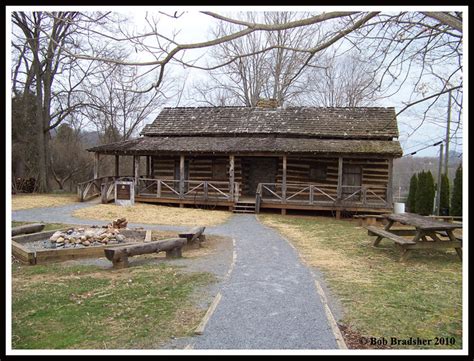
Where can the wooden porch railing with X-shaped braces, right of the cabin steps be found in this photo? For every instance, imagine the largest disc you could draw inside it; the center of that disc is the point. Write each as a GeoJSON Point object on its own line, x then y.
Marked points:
{"type": "Point", "coordinates": [322, 194]}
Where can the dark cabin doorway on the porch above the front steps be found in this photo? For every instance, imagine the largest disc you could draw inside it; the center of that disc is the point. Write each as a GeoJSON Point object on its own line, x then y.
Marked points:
{"type": "Point", "coordinates": [260, 170]}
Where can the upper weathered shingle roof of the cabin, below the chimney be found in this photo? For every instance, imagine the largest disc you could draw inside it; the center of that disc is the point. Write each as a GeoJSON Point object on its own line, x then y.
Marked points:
{"type": "Point", "coordinates": [335, 123]}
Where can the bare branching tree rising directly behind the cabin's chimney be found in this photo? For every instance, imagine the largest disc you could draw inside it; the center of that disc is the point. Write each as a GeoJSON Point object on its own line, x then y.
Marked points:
{"type": "Point", "coordinates": [280, 73]}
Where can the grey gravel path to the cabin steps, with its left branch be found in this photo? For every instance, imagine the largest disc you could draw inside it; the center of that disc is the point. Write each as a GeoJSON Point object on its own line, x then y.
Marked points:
{"type": "Point", "coordinates": [269, 300]}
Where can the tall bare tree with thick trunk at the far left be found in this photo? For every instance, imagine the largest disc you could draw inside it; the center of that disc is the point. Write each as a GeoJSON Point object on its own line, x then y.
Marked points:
{"type": "Point", "coordinates": [42, 41]}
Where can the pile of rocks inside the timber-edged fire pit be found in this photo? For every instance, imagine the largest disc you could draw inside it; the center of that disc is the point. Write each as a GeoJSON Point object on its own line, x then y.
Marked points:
{"type": "Point", "coordinates": [82, 237]}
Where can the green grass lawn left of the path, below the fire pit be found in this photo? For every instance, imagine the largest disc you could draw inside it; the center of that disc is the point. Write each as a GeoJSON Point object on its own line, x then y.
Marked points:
{"type": "Point", "coordinates": [60, 306]}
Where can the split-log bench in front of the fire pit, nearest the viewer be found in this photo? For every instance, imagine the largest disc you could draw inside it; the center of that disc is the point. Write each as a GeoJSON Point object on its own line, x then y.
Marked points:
{"type": "Point", "coordinates": [119, 255]}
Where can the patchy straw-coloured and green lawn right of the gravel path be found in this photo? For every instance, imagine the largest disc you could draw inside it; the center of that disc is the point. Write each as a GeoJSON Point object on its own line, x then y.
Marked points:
{"type": "Point", "coordinates": [381, 296]}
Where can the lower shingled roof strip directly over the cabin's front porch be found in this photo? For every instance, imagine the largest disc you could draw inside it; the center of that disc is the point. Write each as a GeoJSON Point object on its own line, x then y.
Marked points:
{"type": "Point", "coordinates": [236, 145]}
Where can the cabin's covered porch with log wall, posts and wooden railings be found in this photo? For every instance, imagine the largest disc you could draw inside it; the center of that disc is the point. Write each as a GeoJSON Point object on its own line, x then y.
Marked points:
{"type": "Point", "coordinates": [305, 182]}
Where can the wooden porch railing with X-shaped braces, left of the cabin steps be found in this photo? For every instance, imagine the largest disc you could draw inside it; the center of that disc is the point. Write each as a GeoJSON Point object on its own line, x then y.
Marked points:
{"type": "Point", "coordinates": [191, 190]}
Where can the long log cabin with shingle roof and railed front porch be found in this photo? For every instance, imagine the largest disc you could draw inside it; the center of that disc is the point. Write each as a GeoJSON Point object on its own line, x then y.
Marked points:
{"type": "Point", "coordinates": [263, 157]}
